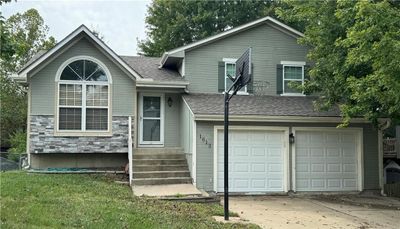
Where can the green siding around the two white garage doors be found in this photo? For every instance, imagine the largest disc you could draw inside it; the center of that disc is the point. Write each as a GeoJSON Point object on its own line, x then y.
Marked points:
{"type": "Point", "coordinates": [205, 158]}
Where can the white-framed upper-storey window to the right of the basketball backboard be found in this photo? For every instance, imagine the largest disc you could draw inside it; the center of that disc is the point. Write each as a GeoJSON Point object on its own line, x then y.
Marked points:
{"type": "Point", "coordinates": [293, 73]}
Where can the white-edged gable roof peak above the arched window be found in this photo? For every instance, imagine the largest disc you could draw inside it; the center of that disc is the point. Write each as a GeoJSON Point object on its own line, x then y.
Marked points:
{"type": "Point", "coordinates": [38, 59]}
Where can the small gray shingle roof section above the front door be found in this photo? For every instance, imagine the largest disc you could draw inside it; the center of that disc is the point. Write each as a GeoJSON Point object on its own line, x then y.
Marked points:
{"type": "Point", "coordinates": [148, 67]}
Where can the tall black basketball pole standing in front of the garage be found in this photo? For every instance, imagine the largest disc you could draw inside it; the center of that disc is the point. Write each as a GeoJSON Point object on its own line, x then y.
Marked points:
{"type": "Point", "coordinates": [226, 124]}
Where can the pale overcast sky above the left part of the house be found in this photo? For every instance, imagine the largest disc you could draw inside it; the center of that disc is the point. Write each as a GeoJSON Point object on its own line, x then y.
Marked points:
{"type": "Point", "coordinates": [120, 22]}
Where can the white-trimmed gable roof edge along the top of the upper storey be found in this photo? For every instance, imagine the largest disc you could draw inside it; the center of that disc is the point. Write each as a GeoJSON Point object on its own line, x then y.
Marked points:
{"type": "Point", "coordinates": [177, 52]}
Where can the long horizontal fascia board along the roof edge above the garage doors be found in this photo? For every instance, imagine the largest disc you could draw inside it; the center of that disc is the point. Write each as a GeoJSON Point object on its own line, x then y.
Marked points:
{"type": "Point", "coordinates": [261, 118]}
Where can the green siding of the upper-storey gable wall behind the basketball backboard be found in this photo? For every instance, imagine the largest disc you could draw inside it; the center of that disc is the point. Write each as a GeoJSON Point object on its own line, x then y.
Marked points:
{"type": "Point", "coordinates": [270, 46]}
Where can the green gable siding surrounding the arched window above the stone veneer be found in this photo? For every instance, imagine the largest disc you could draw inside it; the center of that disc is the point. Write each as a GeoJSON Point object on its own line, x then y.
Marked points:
{"type": "Point", "coordinates": [43, 84]}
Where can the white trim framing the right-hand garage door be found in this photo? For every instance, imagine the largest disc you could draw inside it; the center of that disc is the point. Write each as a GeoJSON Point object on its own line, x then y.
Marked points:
{"type": "Point", "coordinates": [360, 151]}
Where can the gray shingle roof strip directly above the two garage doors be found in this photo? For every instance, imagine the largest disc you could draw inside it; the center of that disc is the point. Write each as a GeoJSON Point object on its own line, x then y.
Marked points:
{"type": "Point", "coordinates": [213, 104]}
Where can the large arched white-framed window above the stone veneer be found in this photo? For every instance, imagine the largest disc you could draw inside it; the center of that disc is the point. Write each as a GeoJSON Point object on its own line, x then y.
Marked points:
{"type": "Point", "coordinates": [83, 96]}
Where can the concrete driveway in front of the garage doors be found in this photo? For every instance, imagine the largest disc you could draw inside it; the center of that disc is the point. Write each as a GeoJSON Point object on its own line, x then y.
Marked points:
{"type": "Point", "coordinates": [318, 211]}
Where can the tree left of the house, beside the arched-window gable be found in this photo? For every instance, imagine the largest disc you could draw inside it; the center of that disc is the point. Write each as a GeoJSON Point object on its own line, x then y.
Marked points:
{"type": "Point", "coordinates": [22, 36]}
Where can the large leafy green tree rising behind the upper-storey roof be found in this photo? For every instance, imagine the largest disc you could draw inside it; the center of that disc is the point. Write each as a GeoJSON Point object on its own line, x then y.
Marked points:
{"type": "Point", "coordinates": [171, 24]}
